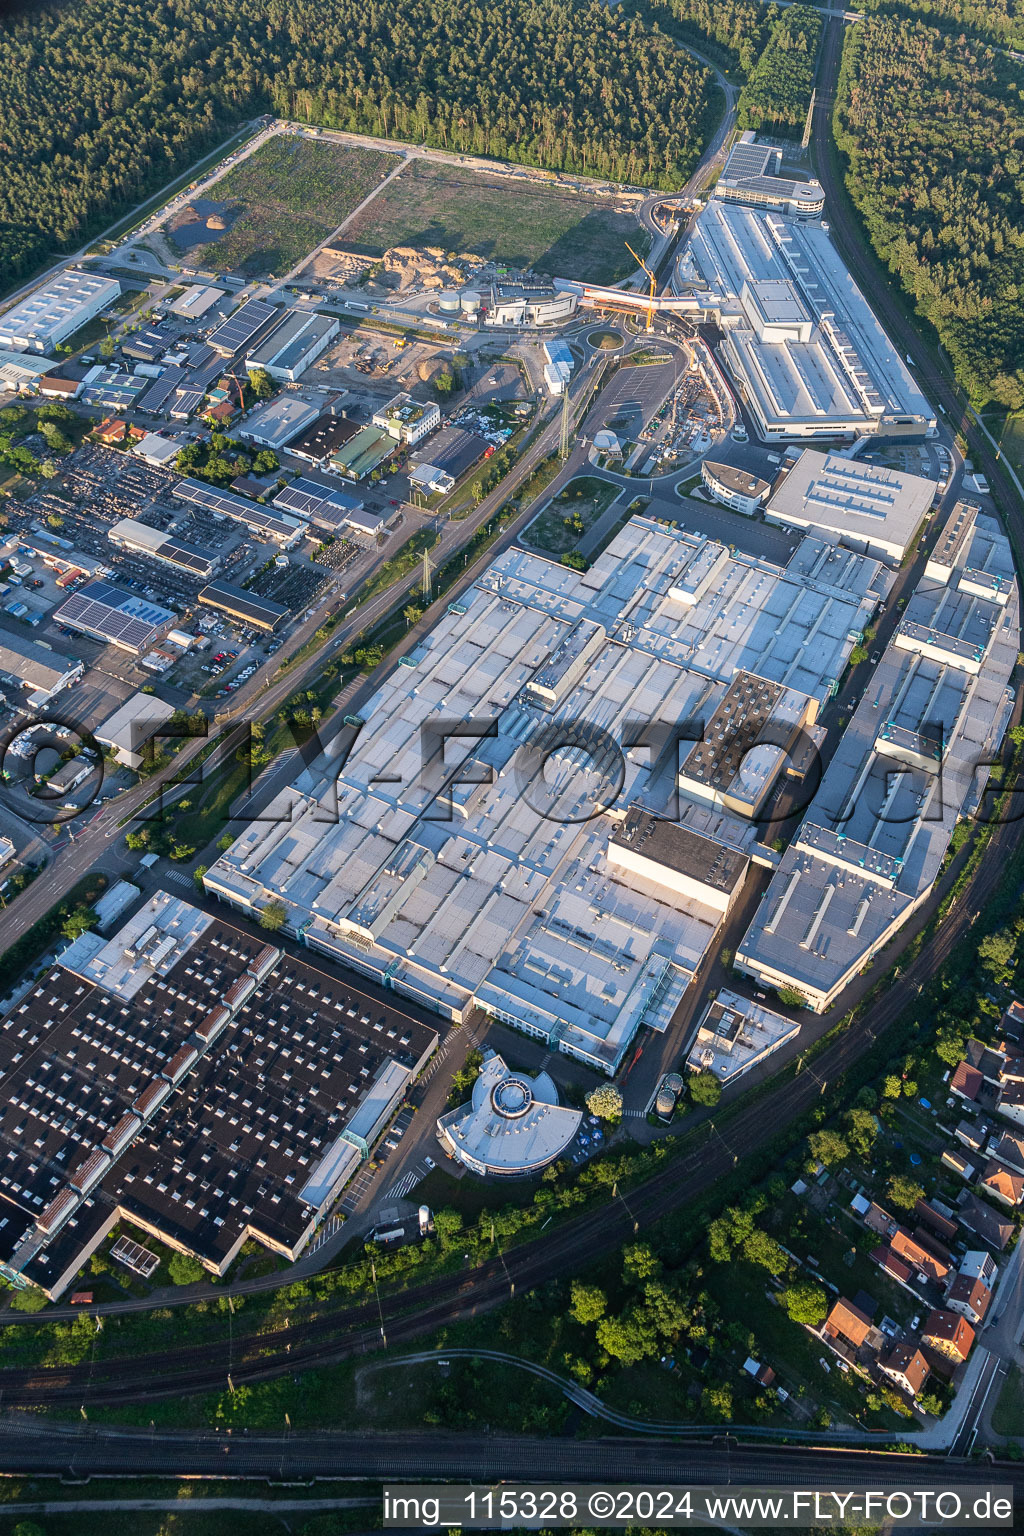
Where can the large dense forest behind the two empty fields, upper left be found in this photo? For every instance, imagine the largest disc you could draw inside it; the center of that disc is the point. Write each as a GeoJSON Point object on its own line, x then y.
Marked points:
{"type": "Point", "coordinates": [105, 102]}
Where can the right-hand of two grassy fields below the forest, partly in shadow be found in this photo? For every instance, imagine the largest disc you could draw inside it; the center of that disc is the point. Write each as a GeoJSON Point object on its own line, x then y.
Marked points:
{"type": "Point", "coordinates": [524, 225]}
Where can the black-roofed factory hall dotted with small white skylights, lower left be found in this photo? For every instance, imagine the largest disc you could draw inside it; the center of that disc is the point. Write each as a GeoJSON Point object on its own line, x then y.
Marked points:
{"type": "Point", "coordinates": [222, 1091]}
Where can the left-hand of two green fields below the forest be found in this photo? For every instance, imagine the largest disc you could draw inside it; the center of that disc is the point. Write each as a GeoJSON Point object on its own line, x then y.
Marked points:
{"type": "Point", "coordinates": [294, 193]}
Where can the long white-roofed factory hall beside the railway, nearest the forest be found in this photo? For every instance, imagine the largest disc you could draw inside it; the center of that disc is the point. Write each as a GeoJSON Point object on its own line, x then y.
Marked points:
{"type": "Point", "coordinates": [802, 343]}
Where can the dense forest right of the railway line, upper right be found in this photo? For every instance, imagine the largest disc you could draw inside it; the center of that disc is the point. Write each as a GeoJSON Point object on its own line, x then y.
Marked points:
{"type": "Point", "coordinates": [933, 125]}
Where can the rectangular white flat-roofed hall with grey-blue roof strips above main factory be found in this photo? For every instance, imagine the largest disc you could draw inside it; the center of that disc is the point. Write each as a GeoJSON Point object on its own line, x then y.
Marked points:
{"type": "Point", "coordinates": [867, 508]}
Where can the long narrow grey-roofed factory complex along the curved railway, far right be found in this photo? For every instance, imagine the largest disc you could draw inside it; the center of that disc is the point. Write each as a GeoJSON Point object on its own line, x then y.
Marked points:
{"type": "Point", "coordinates": [911, 763]}
